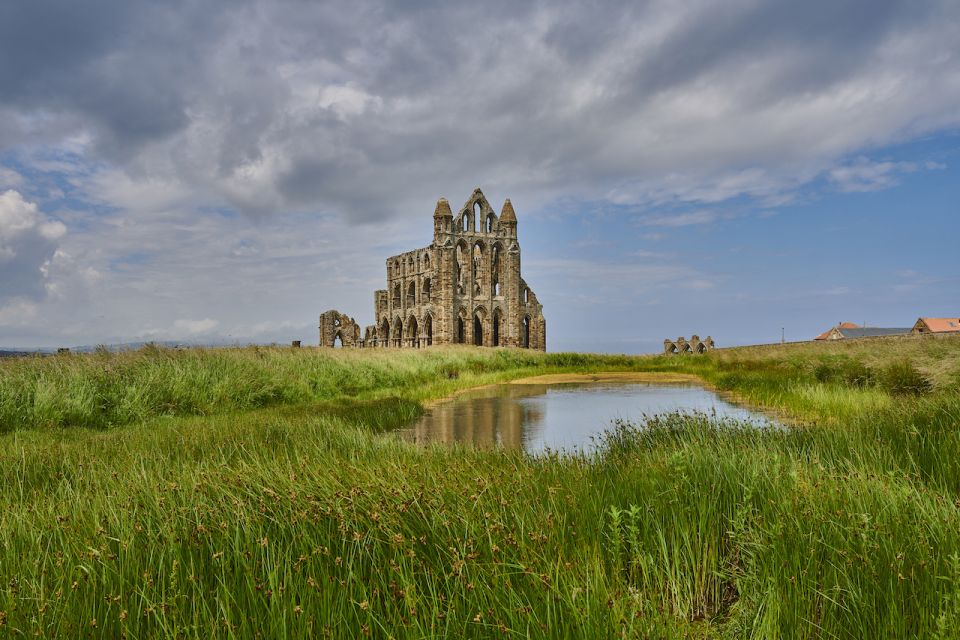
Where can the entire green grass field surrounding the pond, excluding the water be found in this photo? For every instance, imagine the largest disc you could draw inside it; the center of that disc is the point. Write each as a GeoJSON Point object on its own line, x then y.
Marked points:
{"type": "Point", "coordinates": [252, 493]}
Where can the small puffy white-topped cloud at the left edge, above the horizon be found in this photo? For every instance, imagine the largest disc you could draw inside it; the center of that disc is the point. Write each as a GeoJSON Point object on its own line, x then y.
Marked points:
{"type": "Point", "coordinates": [28, 242]}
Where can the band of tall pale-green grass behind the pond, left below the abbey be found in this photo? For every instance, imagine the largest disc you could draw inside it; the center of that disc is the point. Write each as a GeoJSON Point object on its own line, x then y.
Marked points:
{"type": "Point", "coordinates": [104, 389]}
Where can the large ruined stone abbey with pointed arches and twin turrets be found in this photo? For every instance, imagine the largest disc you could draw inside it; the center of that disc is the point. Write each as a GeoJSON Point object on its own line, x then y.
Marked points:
{"type": "Point", "coordinates": [465, 288]}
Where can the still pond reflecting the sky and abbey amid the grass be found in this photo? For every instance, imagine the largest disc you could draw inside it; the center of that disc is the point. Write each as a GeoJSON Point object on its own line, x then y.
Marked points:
{"type": "Point", "coordinates": [567, 416]}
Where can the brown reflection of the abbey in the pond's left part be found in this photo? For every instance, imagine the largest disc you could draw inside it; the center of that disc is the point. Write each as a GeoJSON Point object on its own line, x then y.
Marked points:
{"type": "Point", "coordinates": [494, 418]}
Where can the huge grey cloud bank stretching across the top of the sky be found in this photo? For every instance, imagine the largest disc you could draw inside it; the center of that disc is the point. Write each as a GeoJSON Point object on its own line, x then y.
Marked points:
{"type": "Point", "coordinates": [367, 110]}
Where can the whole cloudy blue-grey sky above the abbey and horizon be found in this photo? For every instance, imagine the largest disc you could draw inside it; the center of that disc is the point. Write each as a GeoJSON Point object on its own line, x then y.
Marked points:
{"type": "Point", "coordinates": [204, 170]}
